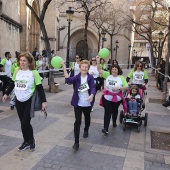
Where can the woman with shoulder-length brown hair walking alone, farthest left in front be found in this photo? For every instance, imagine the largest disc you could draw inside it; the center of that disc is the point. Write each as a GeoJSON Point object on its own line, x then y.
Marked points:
{"type": "Point", "coordinates": [24, 81]}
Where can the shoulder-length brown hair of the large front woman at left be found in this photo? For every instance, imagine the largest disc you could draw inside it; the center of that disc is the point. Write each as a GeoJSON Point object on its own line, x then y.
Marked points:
{"type": "Point", "coordinates": [30, 59]}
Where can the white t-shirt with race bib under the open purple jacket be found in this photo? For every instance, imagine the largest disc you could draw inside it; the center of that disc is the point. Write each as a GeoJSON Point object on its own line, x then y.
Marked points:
{"type": "Point", "coordinates": [83, 93]}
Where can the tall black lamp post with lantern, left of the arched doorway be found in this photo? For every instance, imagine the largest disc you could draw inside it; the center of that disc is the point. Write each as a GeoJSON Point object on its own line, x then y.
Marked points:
{"type": "Point", "coordinates": [69, 14]}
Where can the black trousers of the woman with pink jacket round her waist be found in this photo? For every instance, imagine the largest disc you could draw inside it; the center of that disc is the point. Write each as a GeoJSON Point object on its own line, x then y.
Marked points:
{"type": "Point", "coordinates": [110, 109]}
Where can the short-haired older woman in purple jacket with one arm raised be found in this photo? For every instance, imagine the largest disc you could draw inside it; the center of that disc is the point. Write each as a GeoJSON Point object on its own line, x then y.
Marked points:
{"type": "Point", "coordinates": [82, 99]}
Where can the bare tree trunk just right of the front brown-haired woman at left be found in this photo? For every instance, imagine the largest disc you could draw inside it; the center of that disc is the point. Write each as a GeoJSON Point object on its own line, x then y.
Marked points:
{"type": "Point", "coordinates": [48, 48]}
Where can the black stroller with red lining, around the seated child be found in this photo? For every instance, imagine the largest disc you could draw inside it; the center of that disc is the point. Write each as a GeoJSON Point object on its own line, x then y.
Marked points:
{"type": "Point", "coordinates": [128, 118]}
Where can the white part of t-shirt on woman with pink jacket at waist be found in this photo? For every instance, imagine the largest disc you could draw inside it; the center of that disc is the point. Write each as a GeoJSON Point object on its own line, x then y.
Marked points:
{"type": "Point", "coordinates": [112, 82]}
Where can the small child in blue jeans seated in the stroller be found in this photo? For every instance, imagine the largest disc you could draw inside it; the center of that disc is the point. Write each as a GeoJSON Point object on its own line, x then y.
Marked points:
{"type": "Point", "coordinates": [134, 100]}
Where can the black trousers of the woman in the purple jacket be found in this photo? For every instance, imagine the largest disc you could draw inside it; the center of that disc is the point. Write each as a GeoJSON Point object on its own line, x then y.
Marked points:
{"type": "Point", "coordinates": [78, 115]}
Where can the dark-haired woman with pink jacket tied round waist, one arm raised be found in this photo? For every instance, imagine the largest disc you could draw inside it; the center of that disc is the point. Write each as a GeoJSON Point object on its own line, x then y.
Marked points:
{"type": "Point", "coordinates": [112, 94]}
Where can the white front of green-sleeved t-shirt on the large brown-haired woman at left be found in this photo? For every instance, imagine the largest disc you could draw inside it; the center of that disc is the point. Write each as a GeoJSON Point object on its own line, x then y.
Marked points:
{"type": "Point", "coordinates": [24, 83]}
